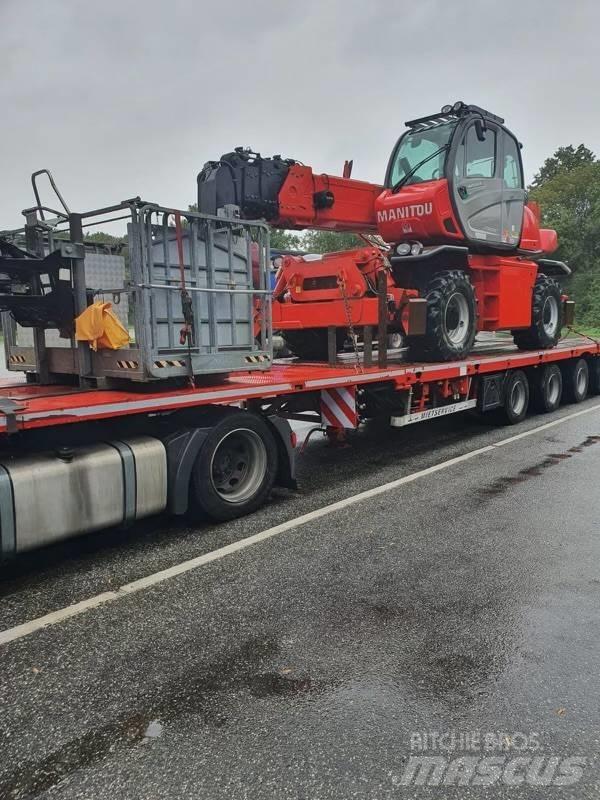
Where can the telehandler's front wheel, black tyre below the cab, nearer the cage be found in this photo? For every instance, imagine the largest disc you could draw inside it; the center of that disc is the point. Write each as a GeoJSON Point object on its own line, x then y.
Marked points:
{"type": "Point", "coordinates": [451, 319]}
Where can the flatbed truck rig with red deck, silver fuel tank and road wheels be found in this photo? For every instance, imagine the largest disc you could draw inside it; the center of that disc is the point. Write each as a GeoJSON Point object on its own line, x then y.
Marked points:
{"type": "Point", "coordinates": [76, 459]}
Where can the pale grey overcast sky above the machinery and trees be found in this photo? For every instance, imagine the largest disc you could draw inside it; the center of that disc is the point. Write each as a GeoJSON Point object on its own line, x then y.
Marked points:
{"type": "Point", "coordinates": [120, 98]}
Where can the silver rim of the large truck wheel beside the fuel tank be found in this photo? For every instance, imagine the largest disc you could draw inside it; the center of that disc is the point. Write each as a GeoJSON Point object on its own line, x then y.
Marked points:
{"type": "Point", "coordinates": [238, 465]}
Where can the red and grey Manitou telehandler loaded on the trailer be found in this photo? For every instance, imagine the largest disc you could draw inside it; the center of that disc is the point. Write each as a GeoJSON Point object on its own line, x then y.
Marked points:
{"type": "Point", "coordinates": [461, 249]}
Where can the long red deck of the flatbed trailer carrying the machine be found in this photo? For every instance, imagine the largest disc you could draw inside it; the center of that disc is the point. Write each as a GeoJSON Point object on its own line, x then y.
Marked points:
{"type": "Point", "coordinates": [37, 406]}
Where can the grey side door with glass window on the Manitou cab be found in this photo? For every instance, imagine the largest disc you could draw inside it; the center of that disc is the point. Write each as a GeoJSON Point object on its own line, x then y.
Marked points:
{"type": "Point", "coordinates": [478, 185]}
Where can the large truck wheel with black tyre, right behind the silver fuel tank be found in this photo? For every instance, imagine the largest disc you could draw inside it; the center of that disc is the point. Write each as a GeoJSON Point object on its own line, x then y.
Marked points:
{"type": "Point", "coordinates": [235, 469]}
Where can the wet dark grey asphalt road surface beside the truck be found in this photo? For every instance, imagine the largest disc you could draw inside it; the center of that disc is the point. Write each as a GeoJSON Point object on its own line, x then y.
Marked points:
{"type": "Point", "coordinates": [463, 604]}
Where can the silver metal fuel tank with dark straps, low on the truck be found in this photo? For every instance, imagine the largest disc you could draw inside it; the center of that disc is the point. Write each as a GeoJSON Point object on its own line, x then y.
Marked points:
{"type": "Point", "coordinates": [54, 495]}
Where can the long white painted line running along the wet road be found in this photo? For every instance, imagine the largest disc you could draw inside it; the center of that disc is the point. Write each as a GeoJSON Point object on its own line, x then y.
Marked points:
{"type": "Point", "coordinates": [55, 617]}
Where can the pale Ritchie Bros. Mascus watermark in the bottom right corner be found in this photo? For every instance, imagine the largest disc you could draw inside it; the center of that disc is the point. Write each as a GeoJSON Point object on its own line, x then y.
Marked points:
{"type": "Point", "coordinates": [475, 758]}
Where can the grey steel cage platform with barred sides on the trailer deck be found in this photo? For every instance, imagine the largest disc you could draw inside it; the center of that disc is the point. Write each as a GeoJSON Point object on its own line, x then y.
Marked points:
{"type": "Point", "coordinates": [181, 271]}
